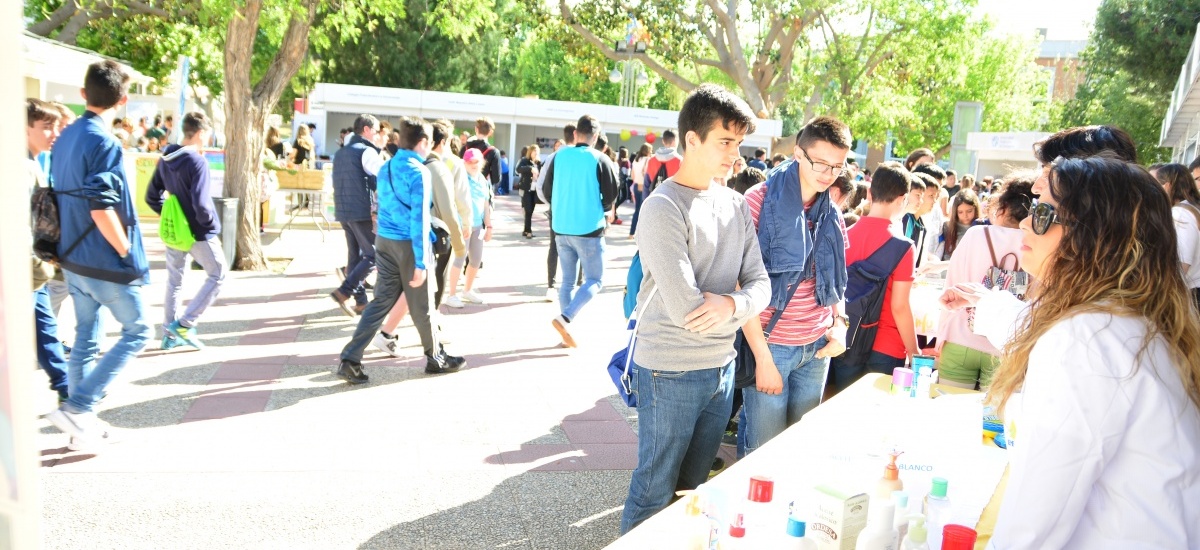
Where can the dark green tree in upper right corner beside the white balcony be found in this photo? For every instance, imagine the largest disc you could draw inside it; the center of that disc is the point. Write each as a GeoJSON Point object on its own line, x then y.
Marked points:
{"type": "Point", "coordinates": [1133, 64]}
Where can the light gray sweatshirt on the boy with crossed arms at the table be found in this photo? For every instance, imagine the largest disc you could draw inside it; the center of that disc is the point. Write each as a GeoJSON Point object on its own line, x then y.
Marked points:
{"type": "Point", "coordinates": [694, 242]}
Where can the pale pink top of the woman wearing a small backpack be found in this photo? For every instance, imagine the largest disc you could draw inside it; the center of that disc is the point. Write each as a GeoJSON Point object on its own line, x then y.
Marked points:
{"type": "Point", "coordinates": [970, 264]}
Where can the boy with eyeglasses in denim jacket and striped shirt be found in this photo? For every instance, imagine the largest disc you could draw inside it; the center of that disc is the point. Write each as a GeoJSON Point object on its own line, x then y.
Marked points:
{"type": "Point", "coordinates": [803, 243]}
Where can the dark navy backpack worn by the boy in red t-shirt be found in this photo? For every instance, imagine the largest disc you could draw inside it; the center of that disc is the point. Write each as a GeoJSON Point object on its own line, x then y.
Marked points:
{"type": "Point", "coordinates": [866, 285]}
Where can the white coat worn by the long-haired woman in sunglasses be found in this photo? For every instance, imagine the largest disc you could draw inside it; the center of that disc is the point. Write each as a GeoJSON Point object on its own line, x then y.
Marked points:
{"type": "Point", "coordinates": [1107, 447]}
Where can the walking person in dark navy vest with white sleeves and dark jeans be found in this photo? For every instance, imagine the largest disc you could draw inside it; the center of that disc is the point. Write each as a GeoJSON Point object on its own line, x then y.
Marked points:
{"type": "Point", "coordinates": [356, 166]}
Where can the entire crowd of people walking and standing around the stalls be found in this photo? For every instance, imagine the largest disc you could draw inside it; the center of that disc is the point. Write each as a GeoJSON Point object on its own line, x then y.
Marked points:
{"type": "Point", "coordinates": [1077, 288]}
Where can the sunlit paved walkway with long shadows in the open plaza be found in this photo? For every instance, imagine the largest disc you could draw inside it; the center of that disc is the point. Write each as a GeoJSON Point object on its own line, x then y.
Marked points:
{"type": "Point", "coordinates": [255, 444]}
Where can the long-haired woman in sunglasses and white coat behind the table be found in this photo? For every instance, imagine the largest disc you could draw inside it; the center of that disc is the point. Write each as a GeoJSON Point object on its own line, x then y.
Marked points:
{"type": "Point", "coordinates": [1107, 447]}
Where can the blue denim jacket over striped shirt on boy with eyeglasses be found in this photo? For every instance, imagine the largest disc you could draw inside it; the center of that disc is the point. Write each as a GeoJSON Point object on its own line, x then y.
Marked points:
{"type": "Point", "coordinates": [790, 250]}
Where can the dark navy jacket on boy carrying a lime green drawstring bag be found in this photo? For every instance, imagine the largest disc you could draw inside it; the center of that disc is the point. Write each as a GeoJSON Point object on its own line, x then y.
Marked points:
{"type": "Point", "coordinates": [184, 174]}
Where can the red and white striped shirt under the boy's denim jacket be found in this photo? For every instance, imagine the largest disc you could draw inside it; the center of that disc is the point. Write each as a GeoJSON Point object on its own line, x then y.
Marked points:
{"type": "Point", "coordinates": [803, 321]}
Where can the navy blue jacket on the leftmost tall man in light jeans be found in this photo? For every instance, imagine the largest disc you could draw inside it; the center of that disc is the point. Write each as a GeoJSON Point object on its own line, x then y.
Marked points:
{"type": "Point", "coordinates": [88, 171]}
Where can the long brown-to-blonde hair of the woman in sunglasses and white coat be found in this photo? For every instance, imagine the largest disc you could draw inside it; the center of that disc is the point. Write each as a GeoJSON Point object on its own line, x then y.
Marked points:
{"type": "Point", "coordinates": [1119, 255]}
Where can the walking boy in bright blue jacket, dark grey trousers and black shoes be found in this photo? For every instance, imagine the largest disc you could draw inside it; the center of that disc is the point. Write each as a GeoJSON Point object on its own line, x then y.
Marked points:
{"type": "Point", "coordinates": [403, 254]}
